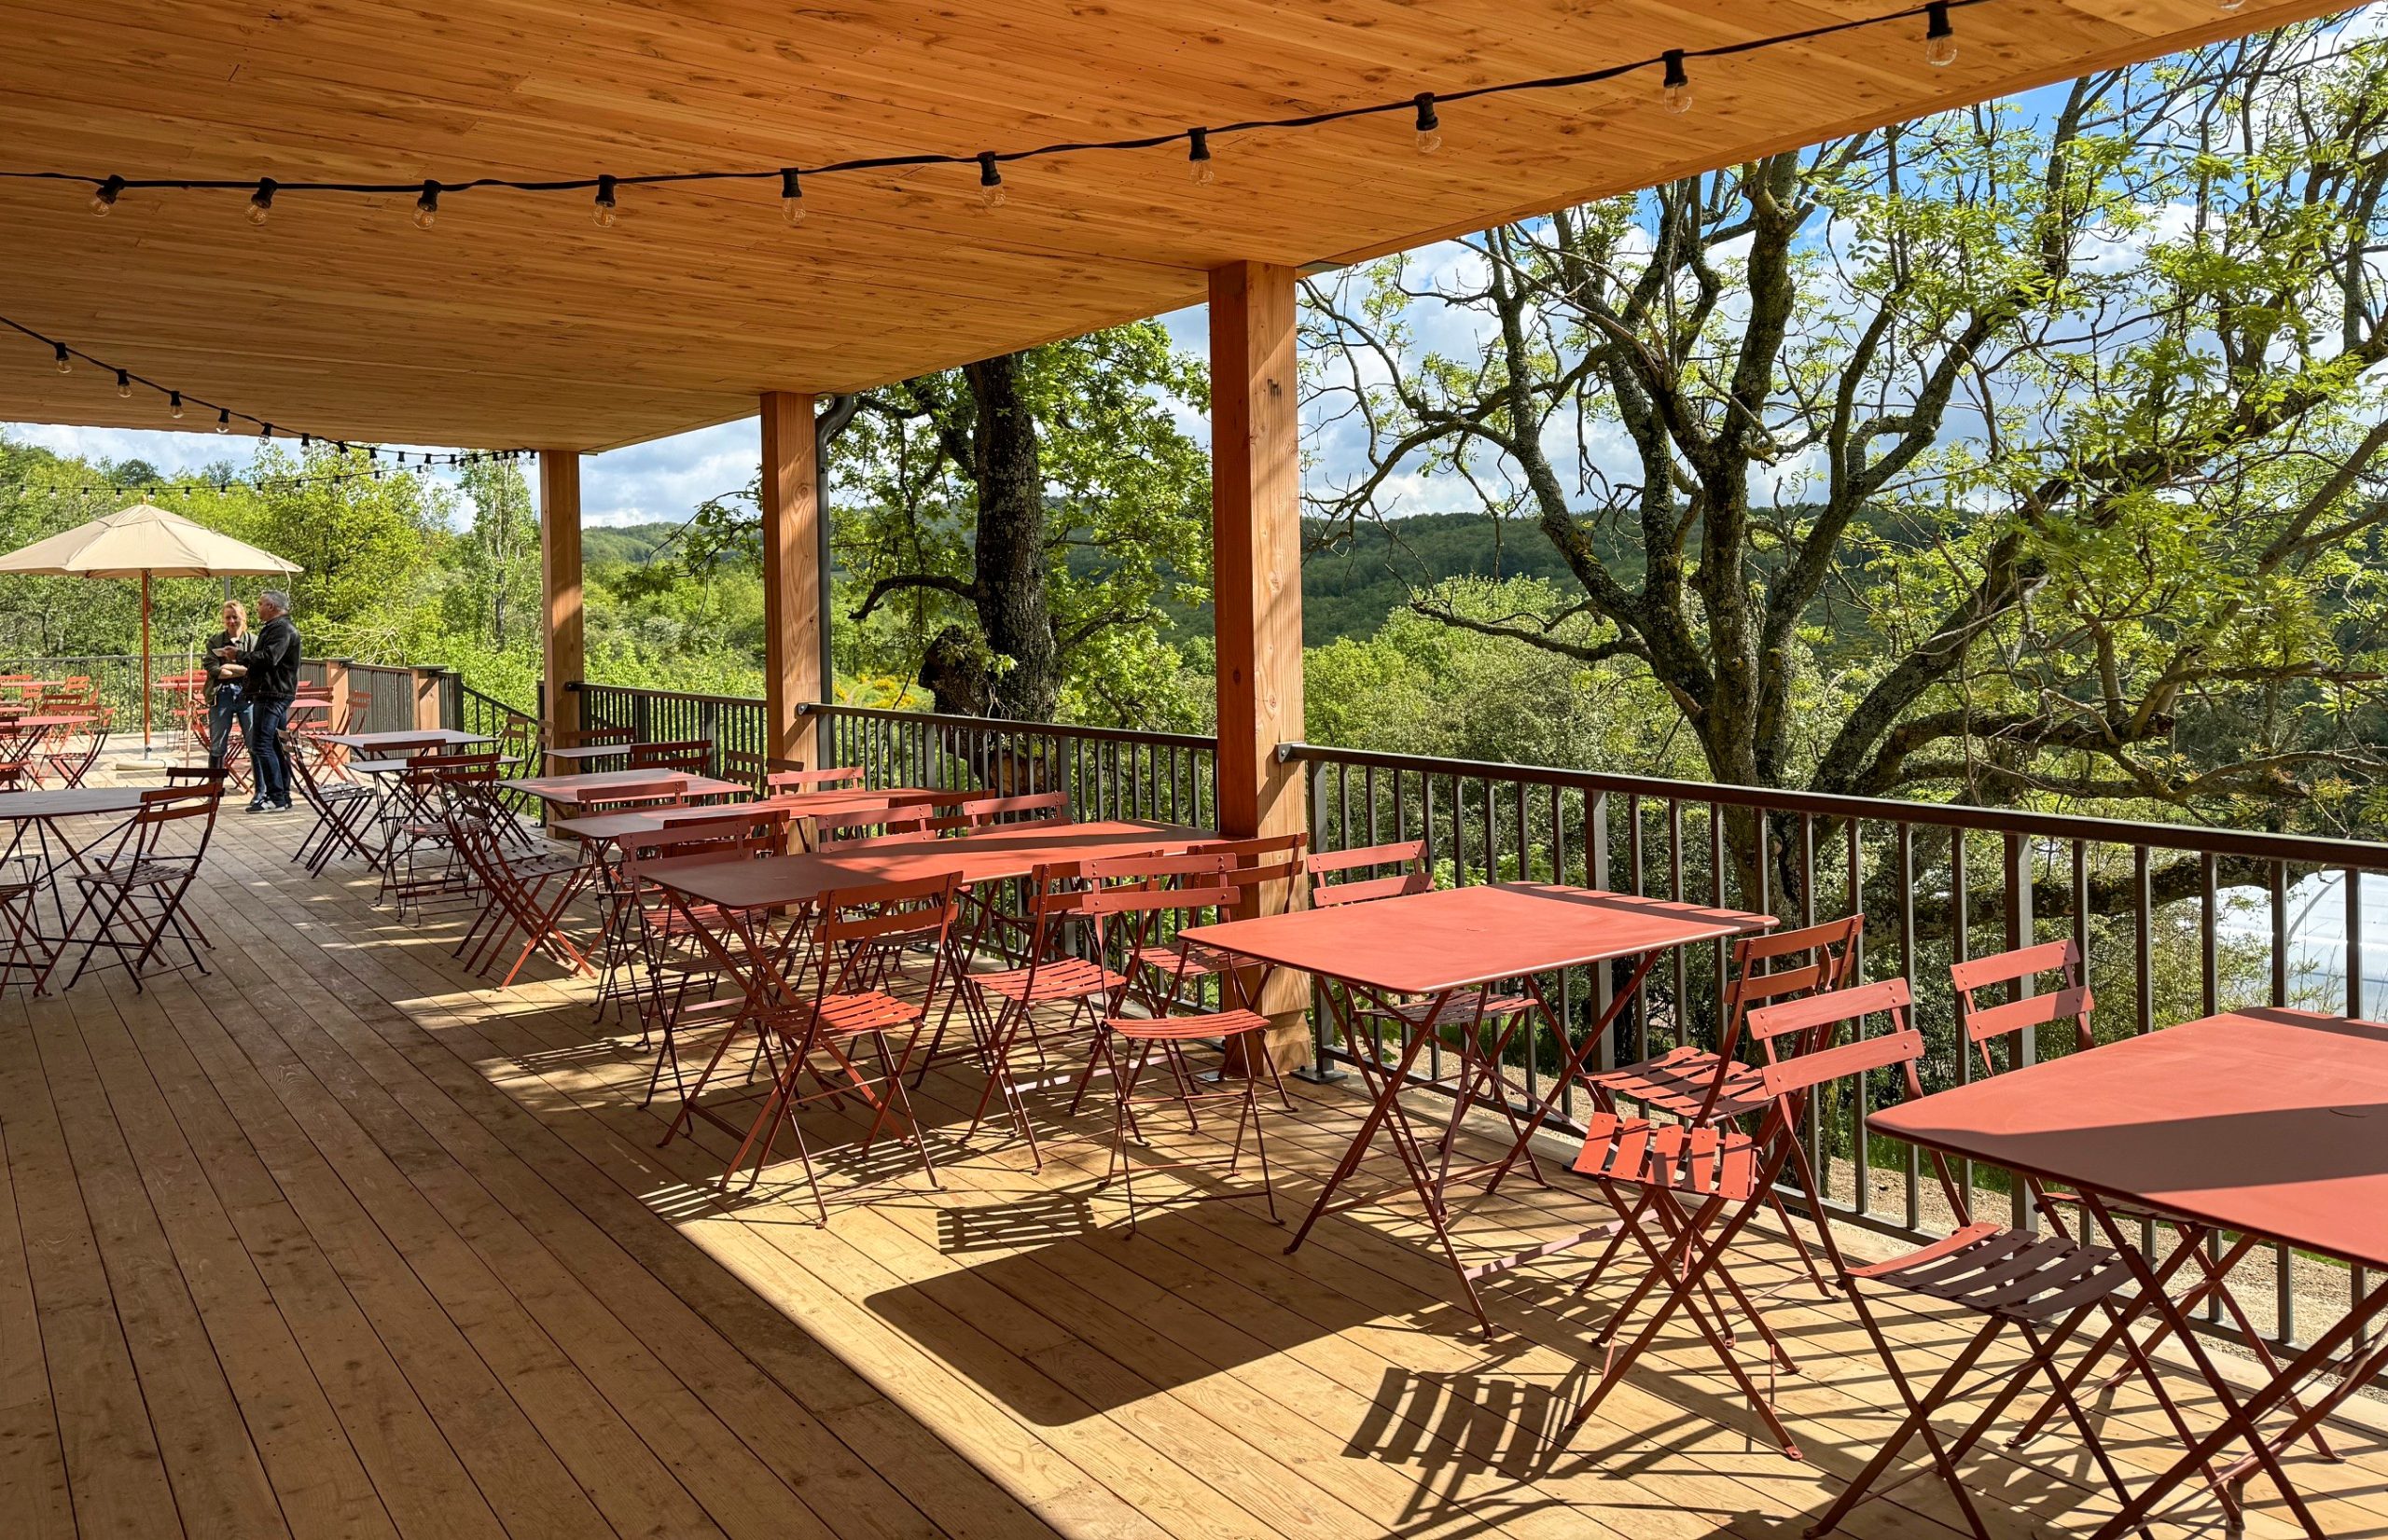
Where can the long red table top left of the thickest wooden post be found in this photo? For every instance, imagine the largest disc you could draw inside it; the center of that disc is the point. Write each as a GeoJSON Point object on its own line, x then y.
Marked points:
{"type": "Point", "coordinates": [978, 858]}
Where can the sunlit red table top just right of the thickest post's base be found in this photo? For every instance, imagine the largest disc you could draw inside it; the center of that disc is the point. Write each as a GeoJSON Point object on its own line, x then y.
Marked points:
{"type": "Point", "coordinates": [1424, 944]}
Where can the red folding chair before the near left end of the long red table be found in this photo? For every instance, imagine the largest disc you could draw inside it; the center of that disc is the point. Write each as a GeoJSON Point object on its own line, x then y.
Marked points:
{"type": "Point", "coordinates": [825, 1030]}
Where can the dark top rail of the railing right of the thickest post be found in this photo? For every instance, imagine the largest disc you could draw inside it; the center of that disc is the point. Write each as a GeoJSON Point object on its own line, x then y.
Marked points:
{"type": "Point", "coordinates": [2318, 851]}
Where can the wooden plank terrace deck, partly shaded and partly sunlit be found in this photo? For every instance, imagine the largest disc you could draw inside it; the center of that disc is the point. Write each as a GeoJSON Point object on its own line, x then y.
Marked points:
{"type": "Point", "coordinates": [343, 1243]}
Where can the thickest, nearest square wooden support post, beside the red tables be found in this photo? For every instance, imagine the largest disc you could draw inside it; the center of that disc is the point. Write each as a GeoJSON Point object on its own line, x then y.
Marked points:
{"type": "Point", "coordinates": [1257, 584]}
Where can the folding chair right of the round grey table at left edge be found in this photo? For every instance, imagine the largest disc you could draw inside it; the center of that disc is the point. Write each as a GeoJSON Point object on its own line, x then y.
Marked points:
{"type": "Point", "coordinates": [135, 894]}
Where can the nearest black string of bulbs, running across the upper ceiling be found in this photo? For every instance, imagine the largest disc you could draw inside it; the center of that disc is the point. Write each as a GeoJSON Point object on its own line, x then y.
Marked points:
{"type": "Point", "coordinates": [1427, 106]}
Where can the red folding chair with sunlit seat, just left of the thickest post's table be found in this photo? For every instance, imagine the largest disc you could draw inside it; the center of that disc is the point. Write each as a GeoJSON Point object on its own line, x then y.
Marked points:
{"type": "Point", "coordinates": [1155, 899]}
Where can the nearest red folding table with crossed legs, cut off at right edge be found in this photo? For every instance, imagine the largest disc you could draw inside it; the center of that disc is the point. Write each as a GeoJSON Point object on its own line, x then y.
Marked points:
{"type": "Point", "coordinates": [2267, 1123]}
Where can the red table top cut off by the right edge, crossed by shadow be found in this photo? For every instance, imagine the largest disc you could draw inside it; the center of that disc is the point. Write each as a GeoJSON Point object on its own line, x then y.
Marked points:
{"type": "Point", "coordinates": [2270, 1123]}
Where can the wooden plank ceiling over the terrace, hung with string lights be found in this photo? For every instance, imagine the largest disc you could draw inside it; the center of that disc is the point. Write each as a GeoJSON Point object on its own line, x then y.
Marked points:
{"type": "Point", "coordinates": [517, 321]}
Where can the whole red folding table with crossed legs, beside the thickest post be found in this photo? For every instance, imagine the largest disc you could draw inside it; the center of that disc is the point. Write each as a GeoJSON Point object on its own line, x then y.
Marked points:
{"type": "Point", "coordinates": [1446, 942]}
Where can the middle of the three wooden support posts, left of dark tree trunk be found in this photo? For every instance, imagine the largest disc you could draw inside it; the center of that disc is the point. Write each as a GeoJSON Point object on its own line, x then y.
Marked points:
{"type": "Point", "coordinates": [794, 577]}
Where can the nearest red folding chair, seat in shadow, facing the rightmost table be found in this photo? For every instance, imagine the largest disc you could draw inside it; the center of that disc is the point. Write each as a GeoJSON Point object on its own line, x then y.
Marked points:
{"type": "Point", "coordinates": [2043, 1286]}
